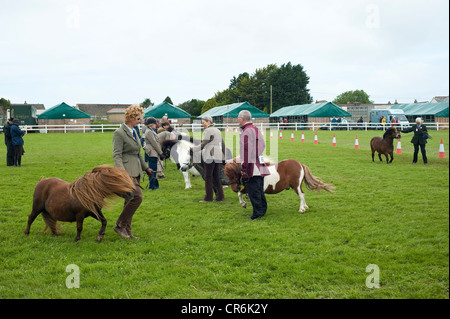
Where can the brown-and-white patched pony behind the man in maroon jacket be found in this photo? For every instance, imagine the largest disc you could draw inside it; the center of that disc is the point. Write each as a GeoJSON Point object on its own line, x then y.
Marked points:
{"type": "Point", "coordinates": [283, 176]}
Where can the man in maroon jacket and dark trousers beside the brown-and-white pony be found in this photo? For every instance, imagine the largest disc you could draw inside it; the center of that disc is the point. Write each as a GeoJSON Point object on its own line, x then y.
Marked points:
{"type": "Point", "coordinates": [253, 168]}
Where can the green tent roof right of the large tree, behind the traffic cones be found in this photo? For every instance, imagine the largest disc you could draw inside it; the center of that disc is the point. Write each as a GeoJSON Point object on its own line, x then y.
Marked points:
{"type": "Point", "coordinates": [327, 109]}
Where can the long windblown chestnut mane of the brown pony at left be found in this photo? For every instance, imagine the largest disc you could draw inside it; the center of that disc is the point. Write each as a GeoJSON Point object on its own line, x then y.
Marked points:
{"type": "Point", "coordinates": [102, 182]}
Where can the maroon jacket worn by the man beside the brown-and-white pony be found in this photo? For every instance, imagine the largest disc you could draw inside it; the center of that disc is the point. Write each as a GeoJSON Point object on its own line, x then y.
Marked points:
{"type": "Point", "coordinates": [252, 146]}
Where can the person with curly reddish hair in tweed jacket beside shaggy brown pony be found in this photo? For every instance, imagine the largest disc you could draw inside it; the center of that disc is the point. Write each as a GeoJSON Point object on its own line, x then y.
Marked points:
{"type": "Point", "coordinates": [127, 155]}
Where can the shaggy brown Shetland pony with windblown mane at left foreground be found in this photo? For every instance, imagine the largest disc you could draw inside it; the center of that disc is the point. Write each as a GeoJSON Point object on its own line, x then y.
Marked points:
{"type": "Point", "coordinates": [59, 200]}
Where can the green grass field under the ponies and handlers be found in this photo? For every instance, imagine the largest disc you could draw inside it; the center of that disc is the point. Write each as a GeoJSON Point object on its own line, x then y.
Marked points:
{"type": "Point", "coordinates": [395, 216]}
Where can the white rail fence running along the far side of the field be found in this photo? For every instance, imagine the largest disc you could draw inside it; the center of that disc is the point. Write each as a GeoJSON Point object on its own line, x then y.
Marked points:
{"type": "Point", "coordinates": [87, 128]}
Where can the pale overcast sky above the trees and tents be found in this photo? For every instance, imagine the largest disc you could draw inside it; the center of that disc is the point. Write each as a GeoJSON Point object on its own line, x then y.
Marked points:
{"type": "Point", "coordinates": [94, 51]}
